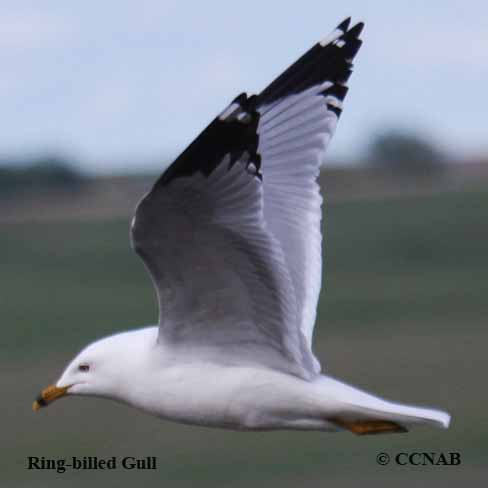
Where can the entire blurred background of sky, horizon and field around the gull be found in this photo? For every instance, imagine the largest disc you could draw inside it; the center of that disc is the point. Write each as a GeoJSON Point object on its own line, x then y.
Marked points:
{"type": "Point", "coordinates": [96, 100]}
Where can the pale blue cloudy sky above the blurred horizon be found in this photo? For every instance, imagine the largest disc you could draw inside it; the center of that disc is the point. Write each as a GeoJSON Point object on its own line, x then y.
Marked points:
{"type": "Point", "coordinates": [120, 83]}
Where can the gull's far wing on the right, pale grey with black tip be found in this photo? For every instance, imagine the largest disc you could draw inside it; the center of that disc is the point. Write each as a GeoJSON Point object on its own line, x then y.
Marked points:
{"type": "Point", "coordinates": [298, 115]}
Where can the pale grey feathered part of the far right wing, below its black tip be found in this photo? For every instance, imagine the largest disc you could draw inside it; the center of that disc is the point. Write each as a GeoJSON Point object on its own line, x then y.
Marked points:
{"type": "Point", "coordinates": [294, 134]}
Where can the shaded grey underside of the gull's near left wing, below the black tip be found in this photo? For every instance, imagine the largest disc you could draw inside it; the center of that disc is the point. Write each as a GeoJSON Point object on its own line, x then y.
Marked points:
{"type": "Point", "coordinates": [222, 282]}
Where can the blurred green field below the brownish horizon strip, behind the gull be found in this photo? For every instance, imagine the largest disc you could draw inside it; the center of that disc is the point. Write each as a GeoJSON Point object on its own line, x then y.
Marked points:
{"type": "Point", "coordinates": [403, 312]}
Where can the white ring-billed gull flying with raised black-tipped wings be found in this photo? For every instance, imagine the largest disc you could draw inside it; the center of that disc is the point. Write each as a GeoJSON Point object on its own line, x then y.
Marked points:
{"type": "Point", "coordinates": [231, 236]}
